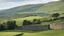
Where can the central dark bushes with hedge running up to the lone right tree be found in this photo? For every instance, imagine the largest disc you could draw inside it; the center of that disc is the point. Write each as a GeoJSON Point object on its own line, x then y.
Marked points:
{"type": "Point", "coordinates": [38, 21]}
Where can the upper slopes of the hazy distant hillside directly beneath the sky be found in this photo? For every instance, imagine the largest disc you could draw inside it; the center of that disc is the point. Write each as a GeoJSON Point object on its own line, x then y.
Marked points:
{"type": "Point", "coordinates": [49, 7]}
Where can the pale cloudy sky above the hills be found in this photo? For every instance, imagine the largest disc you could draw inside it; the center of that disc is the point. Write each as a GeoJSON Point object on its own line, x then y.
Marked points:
{"type": "Point", "coordinates": [6, 4]}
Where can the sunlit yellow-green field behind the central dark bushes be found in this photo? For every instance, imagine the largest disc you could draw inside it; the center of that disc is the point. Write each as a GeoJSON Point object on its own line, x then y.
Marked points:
{"type": "Point", "coordinates": [20, 20]}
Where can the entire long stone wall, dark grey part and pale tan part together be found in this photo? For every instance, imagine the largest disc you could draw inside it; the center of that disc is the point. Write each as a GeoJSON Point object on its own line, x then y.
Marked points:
{"type": "Point", "coordinates": [43, 27]}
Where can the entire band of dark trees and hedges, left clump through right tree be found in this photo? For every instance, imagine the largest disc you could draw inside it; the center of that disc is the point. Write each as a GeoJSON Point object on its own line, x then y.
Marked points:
{"type": "Point", "coordinates": [11, 25]}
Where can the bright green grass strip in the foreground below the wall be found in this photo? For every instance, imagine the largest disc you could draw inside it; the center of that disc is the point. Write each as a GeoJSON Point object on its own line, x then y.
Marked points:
{"type": "Point", "coordinates": [41, 33]}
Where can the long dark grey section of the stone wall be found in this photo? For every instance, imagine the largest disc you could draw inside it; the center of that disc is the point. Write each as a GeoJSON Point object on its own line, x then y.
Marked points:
{"type": "Point", "coordinates": [34, 28]}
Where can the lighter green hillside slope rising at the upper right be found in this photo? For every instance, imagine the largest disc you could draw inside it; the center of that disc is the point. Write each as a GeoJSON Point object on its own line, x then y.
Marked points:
{"type": "Point", "coordinates": [52, 7]}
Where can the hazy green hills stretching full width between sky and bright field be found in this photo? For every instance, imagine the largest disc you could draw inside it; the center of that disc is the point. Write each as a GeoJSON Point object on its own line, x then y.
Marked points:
{"type": "Point", "coordinates": [33, 9]}
